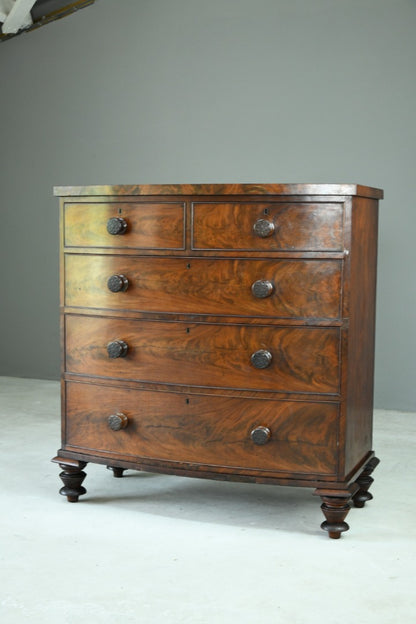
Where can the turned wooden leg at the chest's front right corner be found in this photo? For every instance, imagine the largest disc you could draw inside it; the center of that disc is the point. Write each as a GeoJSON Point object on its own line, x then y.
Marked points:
{"type": "Point", "coordinates": [335, 507]}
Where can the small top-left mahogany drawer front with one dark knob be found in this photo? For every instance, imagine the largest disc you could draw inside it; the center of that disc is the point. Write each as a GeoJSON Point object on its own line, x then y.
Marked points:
{"type": "Point", "coordinates": [148, 225]}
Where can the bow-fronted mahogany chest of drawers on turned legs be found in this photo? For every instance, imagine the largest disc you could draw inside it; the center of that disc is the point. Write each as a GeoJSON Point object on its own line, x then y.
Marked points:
{"type": "Point", "coordinates": [221, 331]}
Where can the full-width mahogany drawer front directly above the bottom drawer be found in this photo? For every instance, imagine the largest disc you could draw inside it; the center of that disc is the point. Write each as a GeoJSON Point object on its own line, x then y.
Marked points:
{"type": "Point", "coordinates": [302, 359]}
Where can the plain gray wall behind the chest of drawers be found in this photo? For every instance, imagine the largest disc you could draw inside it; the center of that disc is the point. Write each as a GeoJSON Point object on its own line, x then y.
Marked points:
{"type": "Point", "coordinates": [171, 91]}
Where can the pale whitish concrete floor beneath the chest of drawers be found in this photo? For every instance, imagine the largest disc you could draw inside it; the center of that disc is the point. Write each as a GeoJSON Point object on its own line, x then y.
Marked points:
{"type": "Point", "coordinates": [154, 549]}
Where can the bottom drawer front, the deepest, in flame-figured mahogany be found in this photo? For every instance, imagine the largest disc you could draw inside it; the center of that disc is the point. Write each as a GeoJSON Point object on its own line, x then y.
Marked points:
{"type": "Point", "coordinates": [212, 431]}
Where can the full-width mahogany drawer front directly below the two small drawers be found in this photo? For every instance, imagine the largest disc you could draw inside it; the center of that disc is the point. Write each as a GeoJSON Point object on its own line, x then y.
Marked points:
{"type": "Point", "coordinates": [282, 288]}
